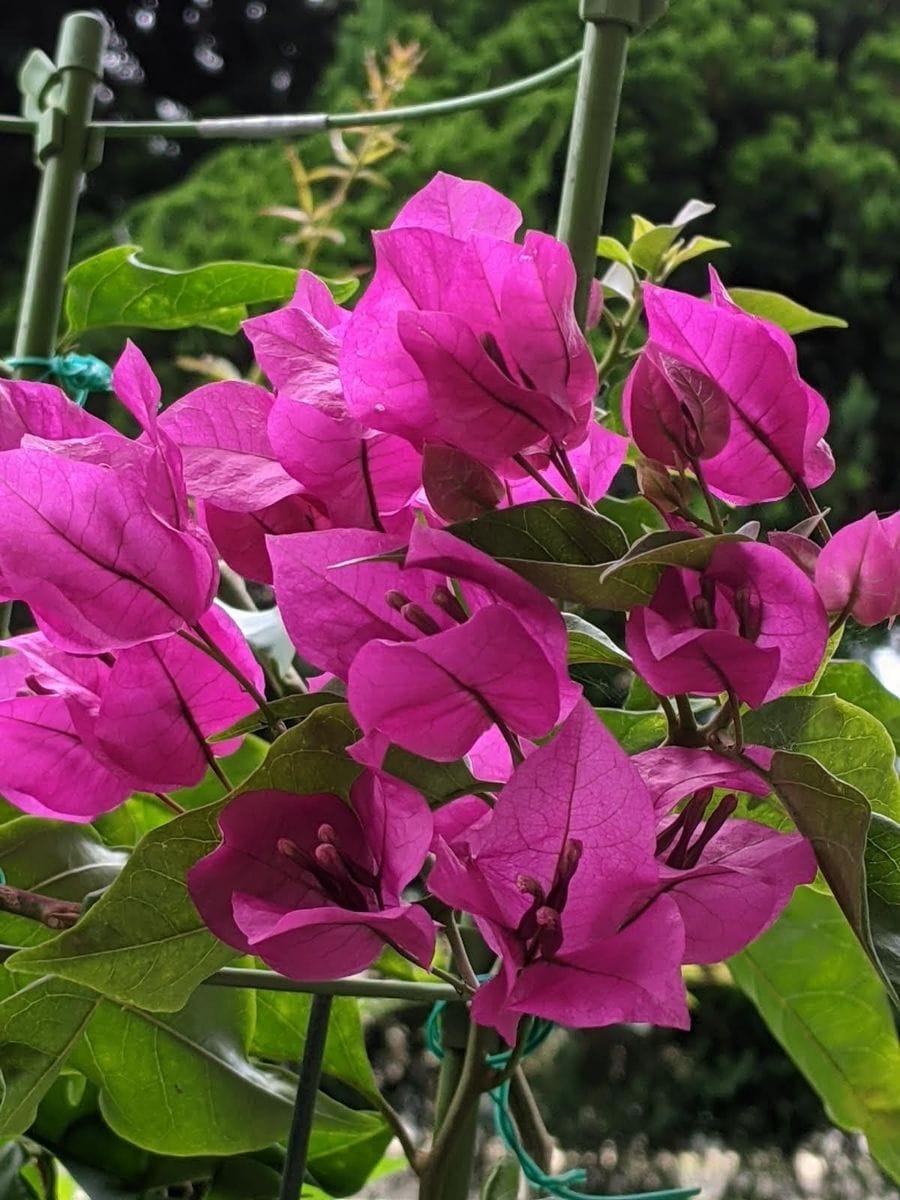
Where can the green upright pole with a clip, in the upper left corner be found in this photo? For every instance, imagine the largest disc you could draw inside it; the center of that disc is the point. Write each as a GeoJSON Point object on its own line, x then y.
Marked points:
{"type": "Point", "coordinates": [62, 146]}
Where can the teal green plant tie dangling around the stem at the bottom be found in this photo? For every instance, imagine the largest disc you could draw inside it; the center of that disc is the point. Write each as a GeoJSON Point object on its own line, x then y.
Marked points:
{"type": "Point", "coordinates": [554, 1185]}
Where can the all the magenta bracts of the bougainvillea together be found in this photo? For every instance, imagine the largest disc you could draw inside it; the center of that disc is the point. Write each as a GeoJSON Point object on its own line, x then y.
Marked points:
{"type": "Point", "coordinates": [593, 877]}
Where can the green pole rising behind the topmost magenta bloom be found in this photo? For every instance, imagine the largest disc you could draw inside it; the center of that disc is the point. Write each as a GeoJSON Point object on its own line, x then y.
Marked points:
{"type": "Point", "coordinates": [609, 26]}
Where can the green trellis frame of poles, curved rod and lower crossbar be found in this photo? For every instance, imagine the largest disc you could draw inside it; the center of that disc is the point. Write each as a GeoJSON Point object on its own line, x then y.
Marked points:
{"type": "Point", "coordinates": [58, 105]}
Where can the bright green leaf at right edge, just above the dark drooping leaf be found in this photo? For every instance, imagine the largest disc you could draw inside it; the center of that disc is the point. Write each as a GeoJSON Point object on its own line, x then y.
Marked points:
{"type": "Point", "coordinates": [845, 740]}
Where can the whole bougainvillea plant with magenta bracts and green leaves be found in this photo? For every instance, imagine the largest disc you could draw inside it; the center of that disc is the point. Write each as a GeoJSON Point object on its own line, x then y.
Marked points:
{"type": "Point", "coordinates": [459, 521]}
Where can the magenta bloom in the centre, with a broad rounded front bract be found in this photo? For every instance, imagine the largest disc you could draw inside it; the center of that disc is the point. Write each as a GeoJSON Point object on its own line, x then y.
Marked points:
{"type": "Point", "coordinates": [411, 649]}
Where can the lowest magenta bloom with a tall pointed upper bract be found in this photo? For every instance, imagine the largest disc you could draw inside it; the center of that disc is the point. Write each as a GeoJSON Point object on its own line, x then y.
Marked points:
{"type": "Point", "coordinates": [560, 879]}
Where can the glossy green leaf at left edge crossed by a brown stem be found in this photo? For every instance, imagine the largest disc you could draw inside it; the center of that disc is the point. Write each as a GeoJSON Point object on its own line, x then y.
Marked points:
{"type": "Point", "coordinates": [56, 860]}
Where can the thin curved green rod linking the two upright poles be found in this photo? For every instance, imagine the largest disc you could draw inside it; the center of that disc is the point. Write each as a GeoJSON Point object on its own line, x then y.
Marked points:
{"type": "Point", "coordinates": [303, 124]}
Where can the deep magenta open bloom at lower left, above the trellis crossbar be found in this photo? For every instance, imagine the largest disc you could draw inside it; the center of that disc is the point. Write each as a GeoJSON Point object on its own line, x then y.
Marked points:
{"type": "Point", "coordinates": [313, 885]}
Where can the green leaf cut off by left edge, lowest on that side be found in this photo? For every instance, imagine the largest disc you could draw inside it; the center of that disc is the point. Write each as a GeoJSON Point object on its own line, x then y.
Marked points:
{"type": "Point", "coordinates": [39, 1029]}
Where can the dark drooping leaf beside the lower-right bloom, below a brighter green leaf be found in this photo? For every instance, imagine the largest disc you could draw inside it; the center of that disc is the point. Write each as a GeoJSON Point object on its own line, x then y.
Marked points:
{"type": "Point", "coordinates": [835, 818]}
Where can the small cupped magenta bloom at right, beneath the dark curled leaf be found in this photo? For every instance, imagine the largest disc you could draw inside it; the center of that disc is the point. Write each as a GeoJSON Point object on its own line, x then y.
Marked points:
{"type": "Point", "coordinates": [751, 623]}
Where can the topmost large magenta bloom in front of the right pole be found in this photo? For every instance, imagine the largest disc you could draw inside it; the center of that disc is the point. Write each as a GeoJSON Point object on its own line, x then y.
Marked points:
{"type": "Point", "coordinates": [466, 338]}
